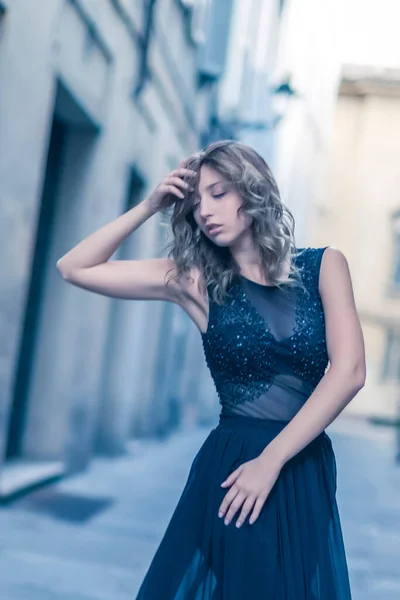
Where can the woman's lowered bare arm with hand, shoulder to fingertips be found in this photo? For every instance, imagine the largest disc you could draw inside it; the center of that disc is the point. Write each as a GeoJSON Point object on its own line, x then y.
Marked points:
{"type": "Point", "coordinates": [251, 483]}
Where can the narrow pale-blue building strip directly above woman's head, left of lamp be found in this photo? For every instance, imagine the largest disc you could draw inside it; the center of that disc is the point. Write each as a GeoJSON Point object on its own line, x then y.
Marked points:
{"type": "Point", "coordinates": [244, 108]}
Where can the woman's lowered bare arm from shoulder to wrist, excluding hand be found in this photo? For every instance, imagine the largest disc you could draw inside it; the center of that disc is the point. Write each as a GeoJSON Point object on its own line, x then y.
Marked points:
{"type": "Point", "coordinates": [347, 371]}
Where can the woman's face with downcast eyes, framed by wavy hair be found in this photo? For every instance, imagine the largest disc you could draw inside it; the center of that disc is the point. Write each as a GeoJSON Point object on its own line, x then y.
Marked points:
{"type": "Point", "coordinates": [217, 204]}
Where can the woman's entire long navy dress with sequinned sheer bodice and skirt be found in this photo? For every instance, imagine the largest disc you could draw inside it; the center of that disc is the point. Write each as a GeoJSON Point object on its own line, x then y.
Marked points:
{"type": "Point", "coordinates": [266, 351]}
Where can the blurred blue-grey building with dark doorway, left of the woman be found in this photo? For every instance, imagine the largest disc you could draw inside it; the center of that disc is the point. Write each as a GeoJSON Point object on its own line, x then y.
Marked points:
{"type": "Point", "coordinates": [99, 99]}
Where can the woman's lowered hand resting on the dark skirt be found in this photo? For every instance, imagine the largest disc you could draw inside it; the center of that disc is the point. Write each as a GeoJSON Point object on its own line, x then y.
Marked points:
{"type": "Point", "coordinates": [252, 482]}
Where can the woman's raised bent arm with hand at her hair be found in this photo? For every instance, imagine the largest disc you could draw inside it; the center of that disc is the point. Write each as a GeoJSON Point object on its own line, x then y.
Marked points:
{"type": "Point", "coordinates": [88, 266]}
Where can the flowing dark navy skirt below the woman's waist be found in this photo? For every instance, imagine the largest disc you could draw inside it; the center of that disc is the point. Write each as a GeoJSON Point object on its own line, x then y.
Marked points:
{"type": "Point", "coordinates": [293, 551]}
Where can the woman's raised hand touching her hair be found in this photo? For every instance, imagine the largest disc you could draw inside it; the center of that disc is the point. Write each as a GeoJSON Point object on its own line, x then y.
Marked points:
{"type": "Point", "coordinates": [173, 186]}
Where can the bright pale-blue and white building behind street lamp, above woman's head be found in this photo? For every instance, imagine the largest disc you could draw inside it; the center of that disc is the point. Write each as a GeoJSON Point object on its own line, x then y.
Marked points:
{"type": "Point", "coordinates": [277, 93]}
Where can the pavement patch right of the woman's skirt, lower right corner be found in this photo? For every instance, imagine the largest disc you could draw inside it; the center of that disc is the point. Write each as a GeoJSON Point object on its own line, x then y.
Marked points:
{"type": "Point", "coordinates": [369, 502]}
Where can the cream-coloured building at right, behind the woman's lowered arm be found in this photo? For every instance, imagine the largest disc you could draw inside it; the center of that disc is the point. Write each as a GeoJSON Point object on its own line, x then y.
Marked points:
{"type": "Point", "coordinates": [359, 212]}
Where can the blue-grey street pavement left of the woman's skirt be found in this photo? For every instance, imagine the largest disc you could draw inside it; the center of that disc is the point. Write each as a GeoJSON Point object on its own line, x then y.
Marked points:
{"type": "Point", "coordinates": [92, 536]}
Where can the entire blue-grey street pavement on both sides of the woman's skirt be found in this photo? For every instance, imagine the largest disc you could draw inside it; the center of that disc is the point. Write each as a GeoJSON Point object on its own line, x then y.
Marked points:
{"type": "Point", "coordinates": [91, 537]}
